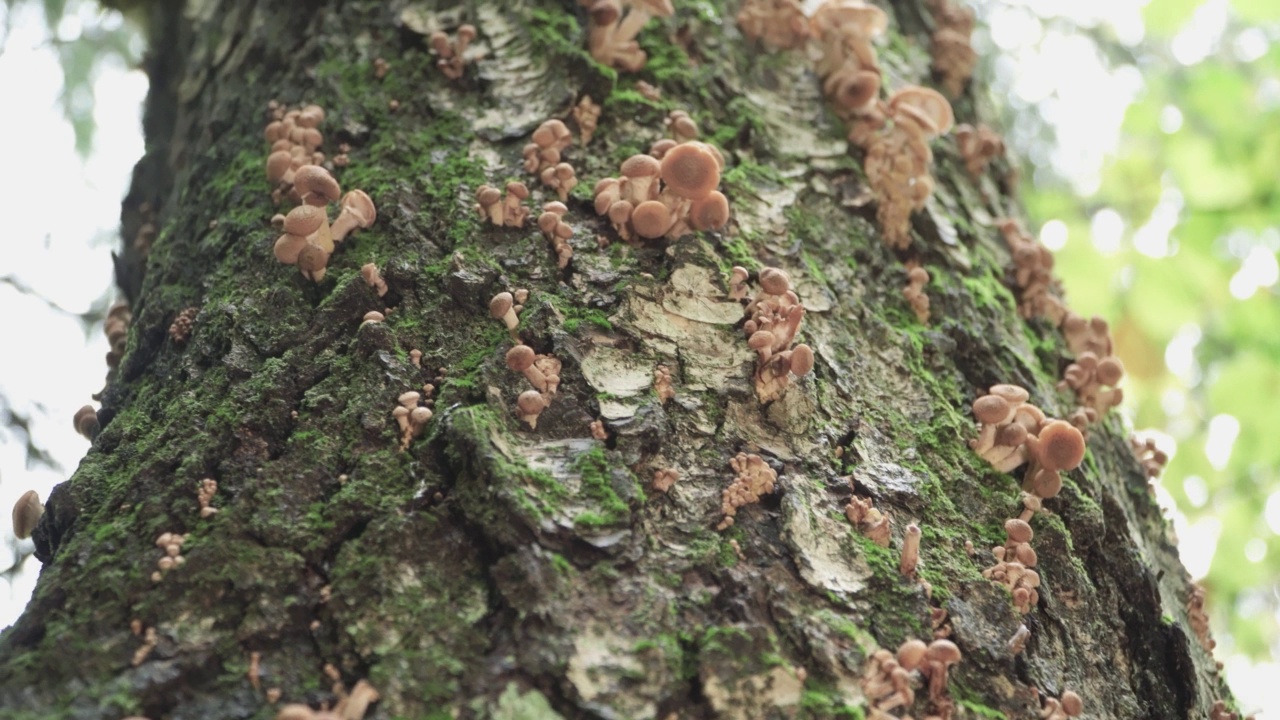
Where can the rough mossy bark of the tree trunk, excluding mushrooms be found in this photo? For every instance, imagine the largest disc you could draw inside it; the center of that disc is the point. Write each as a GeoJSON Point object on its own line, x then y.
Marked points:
{"type": "Point", "coordinates": [493, 572]}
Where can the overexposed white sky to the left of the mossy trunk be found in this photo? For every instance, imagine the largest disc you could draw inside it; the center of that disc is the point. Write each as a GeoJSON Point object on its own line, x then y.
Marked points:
{"type": "Point", "coordinates": [61, 218]}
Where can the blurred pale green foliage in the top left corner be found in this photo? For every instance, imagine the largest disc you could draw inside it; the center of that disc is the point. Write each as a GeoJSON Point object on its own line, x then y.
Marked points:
{"type": "Point", "coordinates": [85, 38]}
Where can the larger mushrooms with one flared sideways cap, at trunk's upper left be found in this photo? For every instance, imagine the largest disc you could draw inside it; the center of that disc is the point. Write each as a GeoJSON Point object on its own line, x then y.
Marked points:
{"type": "Point", "coordinates": [309, 240]}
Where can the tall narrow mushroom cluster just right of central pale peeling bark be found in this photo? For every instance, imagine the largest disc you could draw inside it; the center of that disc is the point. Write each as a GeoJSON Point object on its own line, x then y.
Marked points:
{"type": "Point", "coordinates": [772, 322]}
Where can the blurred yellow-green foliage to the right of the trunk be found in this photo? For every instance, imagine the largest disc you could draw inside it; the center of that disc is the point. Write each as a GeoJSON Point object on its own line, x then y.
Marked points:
{"type": "Point", "coordinates": [1185, 229]}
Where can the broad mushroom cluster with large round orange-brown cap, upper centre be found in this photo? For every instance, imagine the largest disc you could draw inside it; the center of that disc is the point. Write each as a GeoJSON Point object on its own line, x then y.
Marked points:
{"type": "Point", "coordinates": [669, 197]}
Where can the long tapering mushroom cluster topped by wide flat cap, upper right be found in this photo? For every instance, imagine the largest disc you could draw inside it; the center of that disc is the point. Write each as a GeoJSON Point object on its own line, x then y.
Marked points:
{"type": "Point", "coordinates": [899, 158]}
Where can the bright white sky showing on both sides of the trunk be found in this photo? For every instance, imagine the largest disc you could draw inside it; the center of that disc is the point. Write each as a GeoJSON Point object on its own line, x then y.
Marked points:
{"type": "Point", "coordinates": [62, 213]}
